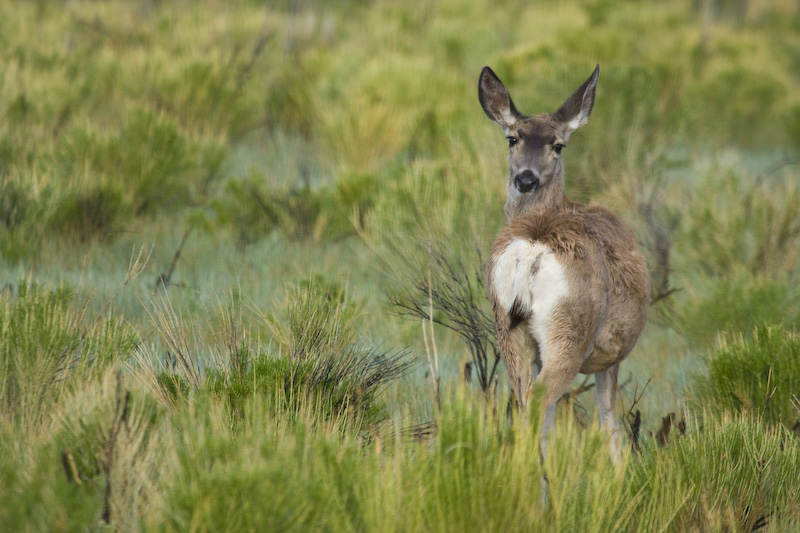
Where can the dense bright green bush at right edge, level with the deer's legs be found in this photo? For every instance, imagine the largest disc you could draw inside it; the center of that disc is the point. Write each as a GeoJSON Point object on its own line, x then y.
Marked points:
{"type": "Point", "coordinates": [759, 376]}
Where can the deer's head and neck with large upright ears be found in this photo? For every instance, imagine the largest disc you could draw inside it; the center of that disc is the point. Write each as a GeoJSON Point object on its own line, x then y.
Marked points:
{"type": "Point", "coordinates": [536, 170]}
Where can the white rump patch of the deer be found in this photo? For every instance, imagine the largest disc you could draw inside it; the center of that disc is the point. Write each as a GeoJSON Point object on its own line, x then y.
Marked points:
{"type": "Point", "coordinates": [537, 293]}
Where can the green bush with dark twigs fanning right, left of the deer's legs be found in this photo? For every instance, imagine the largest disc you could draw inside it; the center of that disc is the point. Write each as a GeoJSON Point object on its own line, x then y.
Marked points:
{"type": "Point", "coordinates": [320, 369]}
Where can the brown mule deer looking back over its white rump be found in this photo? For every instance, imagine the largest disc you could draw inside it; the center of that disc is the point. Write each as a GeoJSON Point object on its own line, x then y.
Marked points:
{"type": "Point", "coordinates": [568, 286]}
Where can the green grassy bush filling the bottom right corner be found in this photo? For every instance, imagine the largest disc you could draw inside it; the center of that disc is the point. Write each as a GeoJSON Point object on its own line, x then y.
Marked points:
{"type": "Point", "coordinates": [733, 474]}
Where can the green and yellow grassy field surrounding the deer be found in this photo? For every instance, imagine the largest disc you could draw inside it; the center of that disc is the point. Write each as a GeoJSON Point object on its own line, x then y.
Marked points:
{"type": "Point", "coordinates": [232, 237]}
